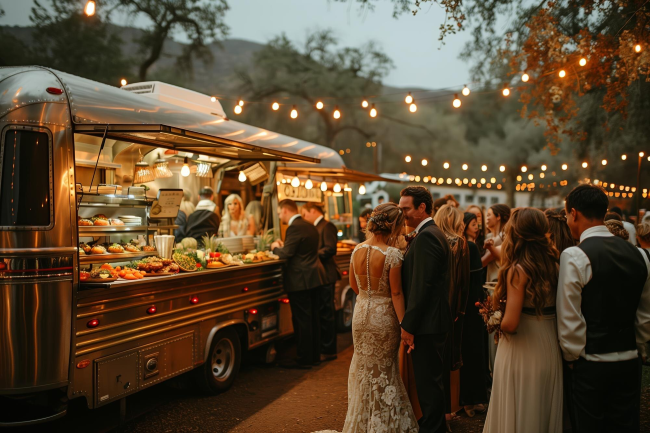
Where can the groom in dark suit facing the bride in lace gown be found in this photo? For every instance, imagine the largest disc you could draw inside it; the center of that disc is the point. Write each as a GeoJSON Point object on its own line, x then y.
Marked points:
{"type": "Point", "coordinates": [425, 280]}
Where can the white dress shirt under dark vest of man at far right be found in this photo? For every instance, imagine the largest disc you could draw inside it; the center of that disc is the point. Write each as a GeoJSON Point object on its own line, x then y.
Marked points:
{"type": "Point", "coordinates": [575, 273]}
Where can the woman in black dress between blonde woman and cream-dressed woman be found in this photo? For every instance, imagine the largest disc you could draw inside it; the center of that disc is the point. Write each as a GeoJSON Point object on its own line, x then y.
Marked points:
{"type": "Point", "coordinates": [473, 389]}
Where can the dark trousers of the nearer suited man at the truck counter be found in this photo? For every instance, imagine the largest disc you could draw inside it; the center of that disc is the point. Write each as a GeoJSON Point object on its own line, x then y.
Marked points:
{"type": "Point", "coordinates": [305, 312]}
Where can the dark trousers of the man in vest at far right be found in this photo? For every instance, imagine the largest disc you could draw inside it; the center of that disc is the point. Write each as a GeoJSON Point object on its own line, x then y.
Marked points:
{"type": "Point", "coordinates": [606, 396]}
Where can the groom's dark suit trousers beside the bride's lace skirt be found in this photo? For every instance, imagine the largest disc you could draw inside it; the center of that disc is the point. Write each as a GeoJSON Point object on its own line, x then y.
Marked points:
{"type": "Point", "coordinates": [428, 365]}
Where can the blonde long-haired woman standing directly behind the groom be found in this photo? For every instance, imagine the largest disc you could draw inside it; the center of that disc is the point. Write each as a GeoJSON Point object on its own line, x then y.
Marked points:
{"type": "Point", "coordinates": [451, 221]}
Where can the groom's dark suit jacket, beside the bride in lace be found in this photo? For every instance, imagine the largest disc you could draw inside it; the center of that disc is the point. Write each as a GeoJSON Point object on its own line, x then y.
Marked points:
{"type": "Point", "coordinates": [425, 282]}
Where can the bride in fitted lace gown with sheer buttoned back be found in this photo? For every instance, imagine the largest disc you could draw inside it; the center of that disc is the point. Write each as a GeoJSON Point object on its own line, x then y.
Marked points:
{"type": "Point", "coordinates": [377, 399]}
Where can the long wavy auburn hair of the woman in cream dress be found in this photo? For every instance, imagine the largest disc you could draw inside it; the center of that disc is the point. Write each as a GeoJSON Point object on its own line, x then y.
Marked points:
{"type": "Point", "coordinates": [527, 243]}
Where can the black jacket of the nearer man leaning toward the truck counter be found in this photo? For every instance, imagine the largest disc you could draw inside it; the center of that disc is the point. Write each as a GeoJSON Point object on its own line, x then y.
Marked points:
{"type": "Point", "coordinates": [303, 270]}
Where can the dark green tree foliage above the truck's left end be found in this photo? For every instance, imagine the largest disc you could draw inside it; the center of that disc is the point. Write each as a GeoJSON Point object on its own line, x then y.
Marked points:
{"type": "Point", "coordinates": [67, 40]}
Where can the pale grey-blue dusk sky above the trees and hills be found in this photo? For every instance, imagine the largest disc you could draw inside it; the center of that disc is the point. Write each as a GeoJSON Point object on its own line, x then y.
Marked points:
{"type": "Point", "coordinates": [411, 41]}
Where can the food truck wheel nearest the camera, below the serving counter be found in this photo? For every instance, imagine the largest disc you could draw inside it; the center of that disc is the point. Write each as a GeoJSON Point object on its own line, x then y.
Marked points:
{"type": "Point", "coordinates": [218, 373]}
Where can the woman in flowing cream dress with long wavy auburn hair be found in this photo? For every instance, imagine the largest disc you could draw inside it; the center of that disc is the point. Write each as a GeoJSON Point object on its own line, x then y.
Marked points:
{"type": "Point", "coordinates": [527, 377]}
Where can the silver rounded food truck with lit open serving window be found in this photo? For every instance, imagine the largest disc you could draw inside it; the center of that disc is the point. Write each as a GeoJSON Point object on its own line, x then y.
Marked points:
{"type": "Point", "coordinates": [93, 302]}
